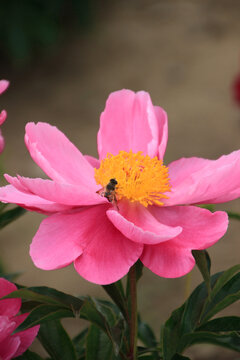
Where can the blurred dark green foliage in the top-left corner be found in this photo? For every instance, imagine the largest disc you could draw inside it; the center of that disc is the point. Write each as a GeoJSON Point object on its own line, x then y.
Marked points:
{"type": "Point", "coordinates": [30, 27]}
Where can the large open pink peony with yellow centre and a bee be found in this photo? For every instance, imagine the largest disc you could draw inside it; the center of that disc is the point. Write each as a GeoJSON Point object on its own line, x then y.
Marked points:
{"type": "Point", "coordinates": [105, 214]}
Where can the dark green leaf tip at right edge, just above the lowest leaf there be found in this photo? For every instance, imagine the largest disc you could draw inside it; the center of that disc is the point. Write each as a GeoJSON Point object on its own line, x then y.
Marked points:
{"type": "Point", "coordinates": [227, 323]}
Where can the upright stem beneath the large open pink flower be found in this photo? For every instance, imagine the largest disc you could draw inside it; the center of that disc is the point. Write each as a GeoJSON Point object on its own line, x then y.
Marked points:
{"type": "Point", "coordinates": [133, 317]}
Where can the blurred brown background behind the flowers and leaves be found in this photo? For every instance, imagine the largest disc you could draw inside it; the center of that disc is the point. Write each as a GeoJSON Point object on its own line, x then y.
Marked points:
{"type": "Point", "coordinates": [63, 58]}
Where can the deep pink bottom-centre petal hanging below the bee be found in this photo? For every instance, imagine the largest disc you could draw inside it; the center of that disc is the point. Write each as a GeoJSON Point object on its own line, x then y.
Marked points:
{"type": "Point", "coordinates": [108, 255]}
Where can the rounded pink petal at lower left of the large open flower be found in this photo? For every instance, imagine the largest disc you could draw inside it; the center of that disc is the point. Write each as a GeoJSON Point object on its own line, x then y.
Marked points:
{"type": "Point", "coordinates": [57, 242]}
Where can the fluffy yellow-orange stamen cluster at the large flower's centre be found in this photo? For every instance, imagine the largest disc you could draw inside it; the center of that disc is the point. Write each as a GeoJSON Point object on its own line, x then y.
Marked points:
{"type": "Point", "coordinates": [139, 178]}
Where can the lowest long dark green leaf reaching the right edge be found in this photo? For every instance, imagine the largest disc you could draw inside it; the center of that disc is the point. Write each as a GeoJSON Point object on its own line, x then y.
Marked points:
{"type": "Point", "coordinates": [230, 340]}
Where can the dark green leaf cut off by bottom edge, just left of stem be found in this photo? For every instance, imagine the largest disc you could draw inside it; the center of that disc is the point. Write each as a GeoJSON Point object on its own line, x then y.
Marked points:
{"type": "Point", "coordinates": [98, 345]}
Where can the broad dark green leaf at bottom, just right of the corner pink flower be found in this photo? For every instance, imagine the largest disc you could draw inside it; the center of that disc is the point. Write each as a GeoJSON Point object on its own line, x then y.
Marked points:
{"type": "Point", "coordinates": [56, 341]}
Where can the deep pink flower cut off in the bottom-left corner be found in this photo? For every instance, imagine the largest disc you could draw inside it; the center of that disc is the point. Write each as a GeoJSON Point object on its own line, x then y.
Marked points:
{"type": "Point", "coordinates": [12, 345]}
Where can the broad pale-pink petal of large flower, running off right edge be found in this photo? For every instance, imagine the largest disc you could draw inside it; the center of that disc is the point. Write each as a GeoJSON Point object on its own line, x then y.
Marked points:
{"type": "Point", "coordinates": [196, 180]}
